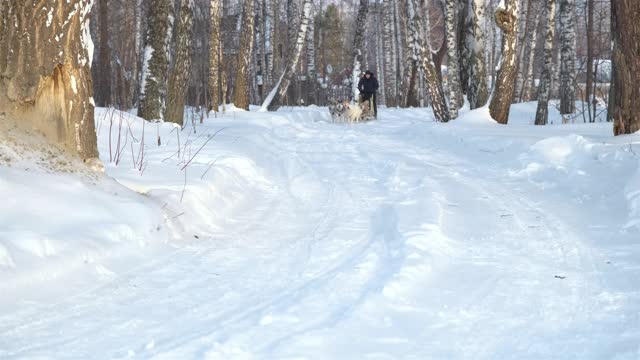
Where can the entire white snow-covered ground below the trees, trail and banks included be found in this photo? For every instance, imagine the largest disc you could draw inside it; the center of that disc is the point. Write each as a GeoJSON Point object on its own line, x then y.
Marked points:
{"type": "Point", "coordinates": [286, 236]}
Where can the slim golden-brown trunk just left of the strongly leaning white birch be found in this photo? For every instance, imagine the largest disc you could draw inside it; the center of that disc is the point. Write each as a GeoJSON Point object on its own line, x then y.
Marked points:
{"type": "Point", "coordinates": [241, 88]}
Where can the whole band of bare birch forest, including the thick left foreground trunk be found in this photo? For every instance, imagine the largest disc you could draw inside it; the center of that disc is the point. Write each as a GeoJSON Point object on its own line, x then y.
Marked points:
{"type": "Point", "coordinates": [161, 55]}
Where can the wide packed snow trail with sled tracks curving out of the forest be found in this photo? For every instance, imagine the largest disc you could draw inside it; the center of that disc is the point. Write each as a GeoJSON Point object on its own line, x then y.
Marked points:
{"type": "Point", "coordinates": [396, 239]}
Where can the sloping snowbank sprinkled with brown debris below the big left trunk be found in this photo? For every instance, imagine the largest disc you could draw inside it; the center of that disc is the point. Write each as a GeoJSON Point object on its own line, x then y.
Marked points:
{"type": "Point", "coordinates": [62, 222]}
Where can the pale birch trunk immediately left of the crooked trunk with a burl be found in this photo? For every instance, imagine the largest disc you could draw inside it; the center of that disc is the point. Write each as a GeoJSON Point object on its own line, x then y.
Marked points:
{"type": "Point", "coordinates": [478, 90]}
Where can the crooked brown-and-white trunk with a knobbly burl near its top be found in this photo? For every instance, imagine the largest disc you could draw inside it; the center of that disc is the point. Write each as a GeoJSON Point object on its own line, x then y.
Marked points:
{"type": "Point", "coordinates": [507, 20]}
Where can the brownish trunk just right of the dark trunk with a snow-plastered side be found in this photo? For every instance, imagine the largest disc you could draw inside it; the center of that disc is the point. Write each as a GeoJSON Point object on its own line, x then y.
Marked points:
{"type": "Point", "coordinates": [181, 72]}
